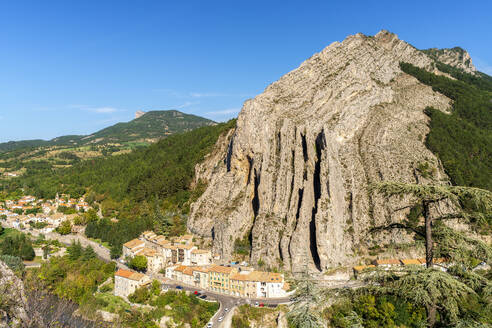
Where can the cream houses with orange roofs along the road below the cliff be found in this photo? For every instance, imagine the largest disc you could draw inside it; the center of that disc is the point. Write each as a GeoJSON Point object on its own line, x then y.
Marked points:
{"type": "Point", "coordinates": [185, 263]}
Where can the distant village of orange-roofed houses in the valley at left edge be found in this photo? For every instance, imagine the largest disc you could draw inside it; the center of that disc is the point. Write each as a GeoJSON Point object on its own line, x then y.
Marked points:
{"type": "Point", "coordinates": [48, 211]}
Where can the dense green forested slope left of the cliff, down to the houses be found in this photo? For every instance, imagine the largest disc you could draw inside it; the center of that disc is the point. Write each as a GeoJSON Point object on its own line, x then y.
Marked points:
{"type": "Point", "coordinates": [149, 188]}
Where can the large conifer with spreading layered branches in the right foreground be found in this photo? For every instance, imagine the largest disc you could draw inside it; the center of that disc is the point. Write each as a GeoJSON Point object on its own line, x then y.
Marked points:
{"type": "Point", "coordinates": [431, 288]}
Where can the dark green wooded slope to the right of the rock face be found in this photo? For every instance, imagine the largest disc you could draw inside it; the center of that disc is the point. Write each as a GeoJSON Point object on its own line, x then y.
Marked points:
{"type": "Point", "coordinates": [462, 140]}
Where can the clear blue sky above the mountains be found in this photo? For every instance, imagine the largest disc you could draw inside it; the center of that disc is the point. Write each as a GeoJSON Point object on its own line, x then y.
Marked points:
{"type": "Point", "coordinates": [74, 67]}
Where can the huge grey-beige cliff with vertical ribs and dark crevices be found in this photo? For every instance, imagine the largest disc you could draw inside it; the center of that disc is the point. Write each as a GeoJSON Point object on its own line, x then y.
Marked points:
{"type": "Point", "coordinates": [293, 176]}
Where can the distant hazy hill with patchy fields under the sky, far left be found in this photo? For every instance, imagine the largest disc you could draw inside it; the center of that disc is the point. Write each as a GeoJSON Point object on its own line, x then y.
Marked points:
{"type": "Point", "coordinates": [36, 157]}
